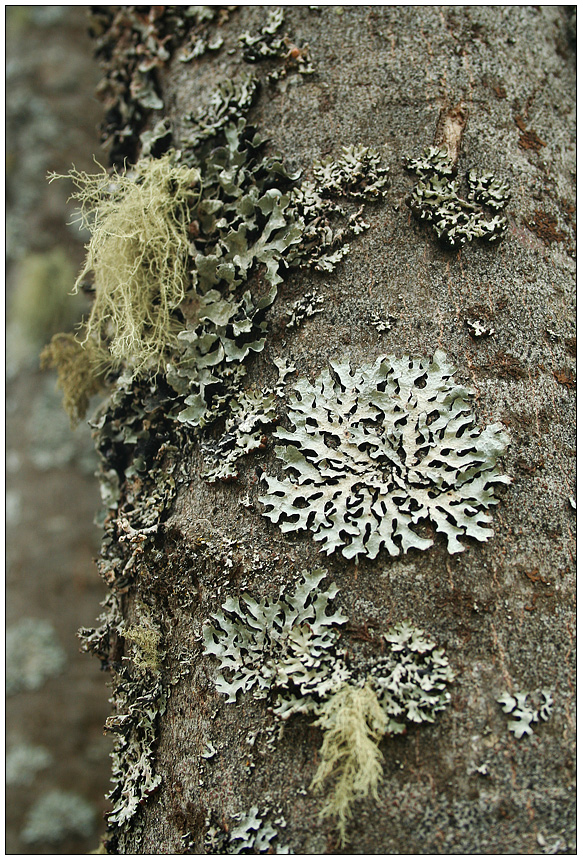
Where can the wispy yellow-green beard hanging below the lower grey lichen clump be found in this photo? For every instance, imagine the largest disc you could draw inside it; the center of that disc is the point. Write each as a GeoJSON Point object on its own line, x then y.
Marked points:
{"type": "Point", "coordinates": [353, 723]}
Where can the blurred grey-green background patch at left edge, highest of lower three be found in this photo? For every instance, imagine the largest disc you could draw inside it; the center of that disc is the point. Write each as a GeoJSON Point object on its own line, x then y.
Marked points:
{"type": "Point", "coordinates": [33, 655]}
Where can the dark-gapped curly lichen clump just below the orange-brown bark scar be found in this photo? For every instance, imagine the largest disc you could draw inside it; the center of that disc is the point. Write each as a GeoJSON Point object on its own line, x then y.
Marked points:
{"type": "Point", "coordinates": [436, 199]}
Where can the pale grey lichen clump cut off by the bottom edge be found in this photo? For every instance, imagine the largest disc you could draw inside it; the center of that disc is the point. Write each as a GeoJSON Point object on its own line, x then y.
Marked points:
{"type": "Point", "coordinates": [250, 836]}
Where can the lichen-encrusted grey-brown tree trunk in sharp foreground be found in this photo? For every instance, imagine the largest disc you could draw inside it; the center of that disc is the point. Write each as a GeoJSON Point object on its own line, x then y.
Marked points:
{"type": "Point", "coordinates": [206, 764]}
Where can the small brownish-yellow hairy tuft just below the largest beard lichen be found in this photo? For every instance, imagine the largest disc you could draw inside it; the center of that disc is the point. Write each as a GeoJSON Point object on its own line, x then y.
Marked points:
{"type": "Point", "coordinates": [77, 376]}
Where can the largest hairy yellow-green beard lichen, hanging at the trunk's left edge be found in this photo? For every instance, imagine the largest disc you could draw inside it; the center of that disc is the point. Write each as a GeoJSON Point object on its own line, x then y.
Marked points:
{"type": "Point", "coordinates": [137, 256]}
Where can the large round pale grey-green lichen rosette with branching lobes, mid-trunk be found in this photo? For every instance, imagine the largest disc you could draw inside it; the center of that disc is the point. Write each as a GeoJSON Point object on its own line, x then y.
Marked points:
{"type": "Point", "coordinates": [376, 453]}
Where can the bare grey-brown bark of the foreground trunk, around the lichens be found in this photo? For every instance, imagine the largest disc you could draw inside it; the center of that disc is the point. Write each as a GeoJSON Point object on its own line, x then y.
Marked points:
{"type": "Point", "coordinates": [496, 86]}
